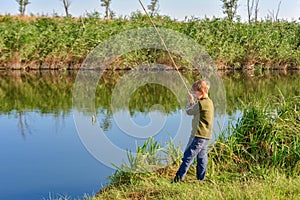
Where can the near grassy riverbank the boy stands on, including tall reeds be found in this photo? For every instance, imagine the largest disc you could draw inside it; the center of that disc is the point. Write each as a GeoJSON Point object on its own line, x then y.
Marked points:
{"type": "Point", "coordinates": [258, 160]}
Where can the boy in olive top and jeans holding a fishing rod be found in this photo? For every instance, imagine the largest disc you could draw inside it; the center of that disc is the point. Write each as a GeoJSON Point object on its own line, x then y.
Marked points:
{"type": "Point", "coordinates": [203, 111]}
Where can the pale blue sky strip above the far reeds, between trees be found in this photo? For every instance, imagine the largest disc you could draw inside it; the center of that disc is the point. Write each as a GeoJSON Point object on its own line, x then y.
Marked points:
{"type": "Point", "coordinates": [176, 9]}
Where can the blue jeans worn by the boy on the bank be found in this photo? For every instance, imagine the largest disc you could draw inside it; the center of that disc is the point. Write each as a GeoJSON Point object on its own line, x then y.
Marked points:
{"type": "Point", "coordinates": [196, 147]}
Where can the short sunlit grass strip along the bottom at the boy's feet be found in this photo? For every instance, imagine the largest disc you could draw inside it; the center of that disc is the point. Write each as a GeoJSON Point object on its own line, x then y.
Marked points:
{"type": "Point", "coordinates": [273, 187]}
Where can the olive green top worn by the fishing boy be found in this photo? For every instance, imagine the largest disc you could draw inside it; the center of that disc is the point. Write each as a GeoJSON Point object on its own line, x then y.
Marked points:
{"type": "Point", "coordinates": [203, 120]}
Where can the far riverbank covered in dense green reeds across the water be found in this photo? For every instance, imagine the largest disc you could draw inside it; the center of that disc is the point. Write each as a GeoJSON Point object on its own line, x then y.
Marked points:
{"type": "Point", "coordinates": [63, 43]}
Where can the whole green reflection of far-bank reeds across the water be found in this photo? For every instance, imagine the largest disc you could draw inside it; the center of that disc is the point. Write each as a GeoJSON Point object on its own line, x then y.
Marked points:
{"type": "Point", "coordinates": [51, 92]}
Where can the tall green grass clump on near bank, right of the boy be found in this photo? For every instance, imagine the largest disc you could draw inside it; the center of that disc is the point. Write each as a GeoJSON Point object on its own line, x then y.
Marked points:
{"type": "Point", "coordinates": [265, 138]}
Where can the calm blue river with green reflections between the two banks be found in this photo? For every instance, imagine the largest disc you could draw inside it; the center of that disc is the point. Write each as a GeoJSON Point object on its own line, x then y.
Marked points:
{"type": "Point", "coordinates": [43, 151]}
